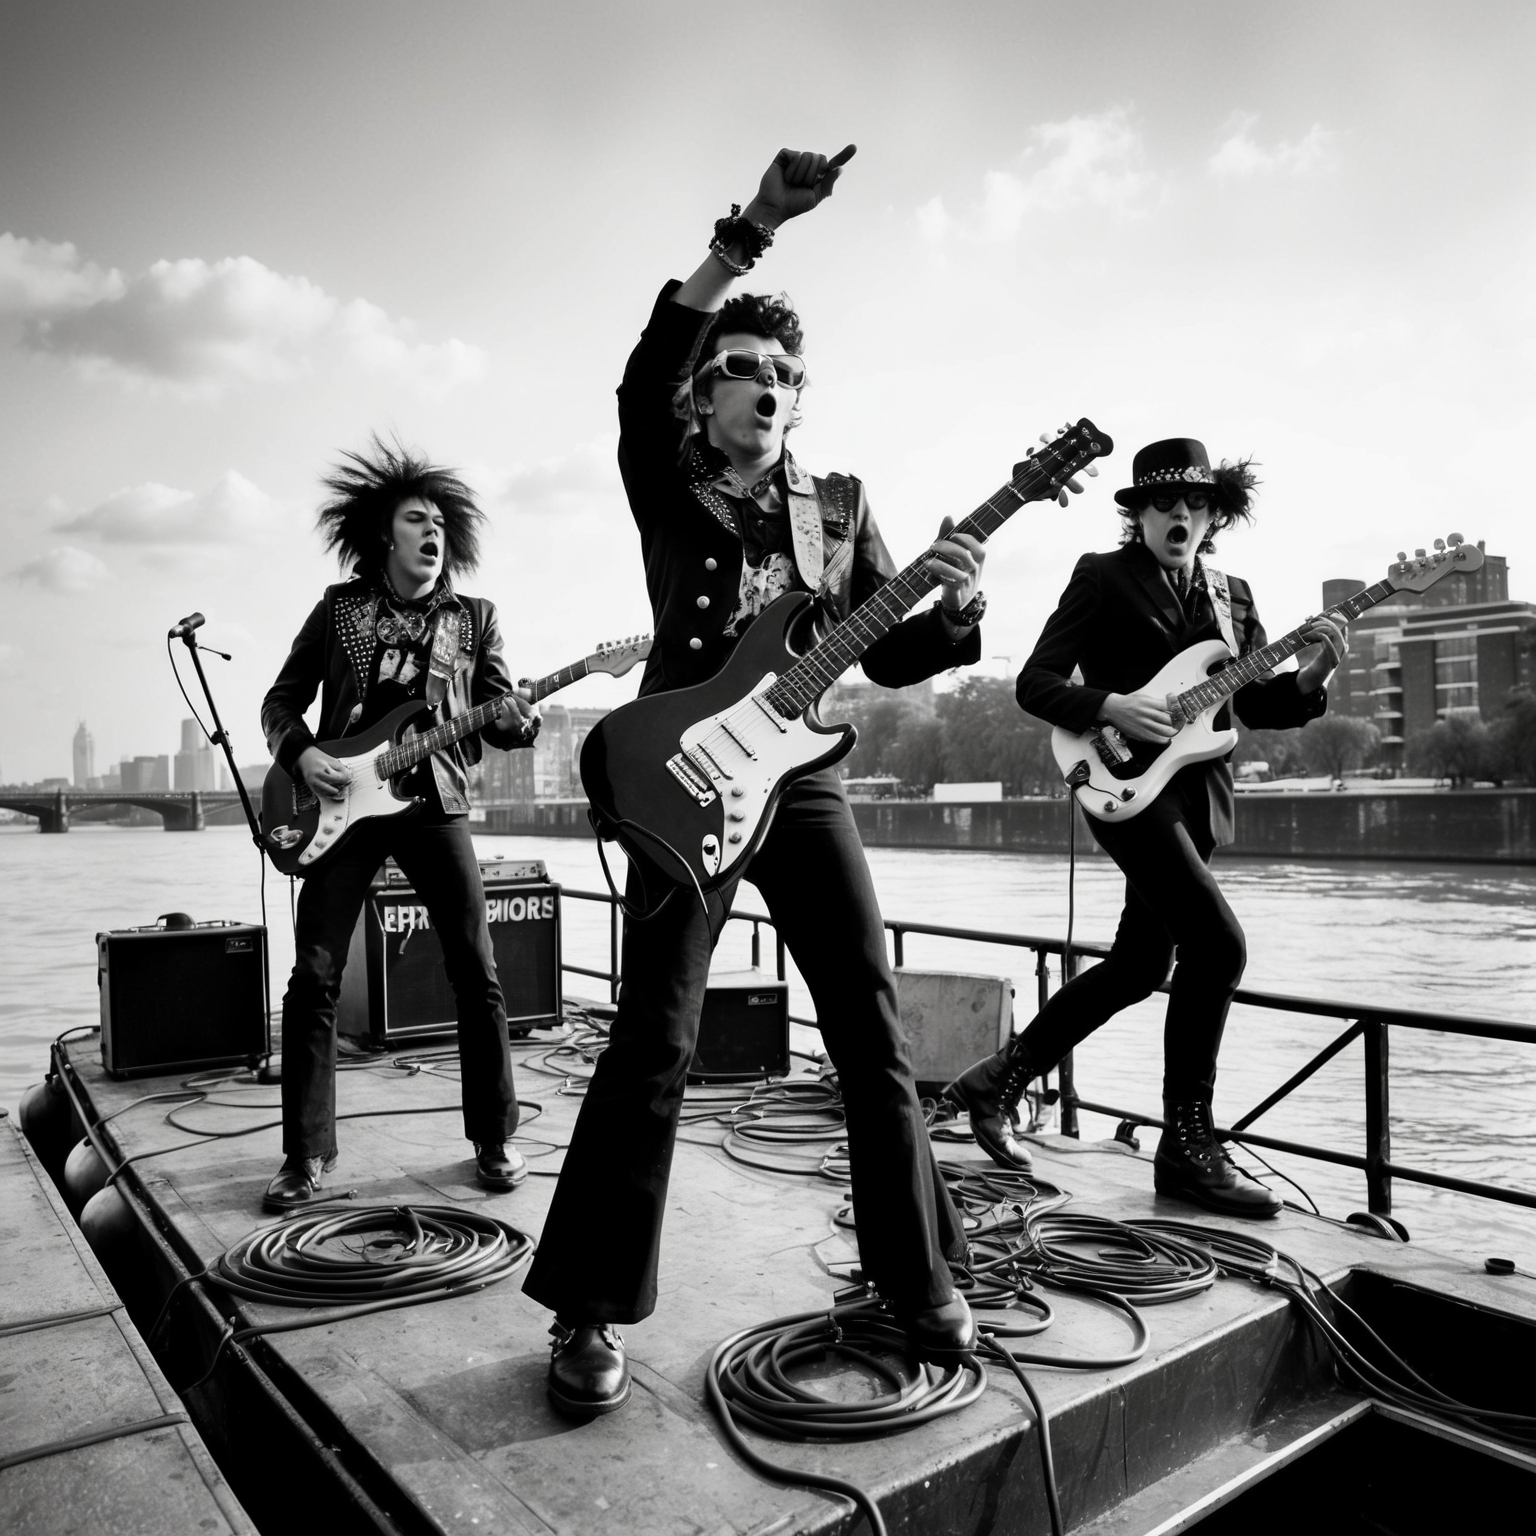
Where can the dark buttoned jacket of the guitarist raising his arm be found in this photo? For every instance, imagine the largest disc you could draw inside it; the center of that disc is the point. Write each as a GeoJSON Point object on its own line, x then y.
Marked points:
{"type": "Point", "coordinates": [694, 555]}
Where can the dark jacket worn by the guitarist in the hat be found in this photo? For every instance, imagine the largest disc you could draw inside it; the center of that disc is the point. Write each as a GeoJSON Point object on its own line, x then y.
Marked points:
{"type": "Point", "coordinates": [1121, 623]}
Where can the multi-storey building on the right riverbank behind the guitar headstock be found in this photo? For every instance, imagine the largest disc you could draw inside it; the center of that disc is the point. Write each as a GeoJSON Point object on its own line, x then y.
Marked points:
{"type": "Point", "coordinates": [1422, 657]}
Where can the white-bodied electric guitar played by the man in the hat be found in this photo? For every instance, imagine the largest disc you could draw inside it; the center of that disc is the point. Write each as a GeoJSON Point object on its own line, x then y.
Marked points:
{"type": "Point", "coordinates": [1116, 778]}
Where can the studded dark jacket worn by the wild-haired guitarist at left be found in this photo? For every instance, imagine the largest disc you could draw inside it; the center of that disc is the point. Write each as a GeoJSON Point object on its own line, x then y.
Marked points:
{"type": "Point", "coordinates": [333, 655]}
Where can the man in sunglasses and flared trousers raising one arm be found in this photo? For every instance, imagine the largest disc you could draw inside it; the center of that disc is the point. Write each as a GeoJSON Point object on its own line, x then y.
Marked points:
{"type": "Point", "coordinates": [729, 521]}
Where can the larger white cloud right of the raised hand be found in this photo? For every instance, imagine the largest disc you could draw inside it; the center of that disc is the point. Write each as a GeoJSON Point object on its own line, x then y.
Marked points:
{"type": "Point", "coordinates": [1084, 162]}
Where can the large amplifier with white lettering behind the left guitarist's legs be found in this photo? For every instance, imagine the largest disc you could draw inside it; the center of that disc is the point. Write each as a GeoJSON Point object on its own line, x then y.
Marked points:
{"type": "Point", "coordinates": [396, 987]}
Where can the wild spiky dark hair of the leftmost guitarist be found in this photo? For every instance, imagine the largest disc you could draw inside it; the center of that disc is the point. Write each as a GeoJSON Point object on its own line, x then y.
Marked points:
{"type": "Point", "coordinates": [368, 489]}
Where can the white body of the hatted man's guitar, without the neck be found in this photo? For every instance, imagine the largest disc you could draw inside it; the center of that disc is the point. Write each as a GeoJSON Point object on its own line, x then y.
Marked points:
{"type": "Point", "coordinates": [1125, 778]}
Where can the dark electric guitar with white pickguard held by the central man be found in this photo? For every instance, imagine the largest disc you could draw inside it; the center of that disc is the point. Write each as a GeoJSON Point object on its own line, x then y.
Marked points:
{"type": "Point", "coordinates": [687, 783]}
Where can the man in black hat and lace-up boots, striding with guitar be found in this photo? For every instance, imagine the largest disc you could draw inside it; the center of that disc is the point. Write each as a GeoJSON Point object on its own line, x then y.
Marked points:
{"type": "Point", "coordinates": [1121, 620]}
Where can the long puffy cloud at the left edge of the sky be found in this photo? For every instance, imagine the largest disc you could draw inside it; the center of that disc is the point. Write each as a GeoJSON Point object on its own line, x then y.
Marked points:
{"type": "Point", "coordinates": [199, 328]}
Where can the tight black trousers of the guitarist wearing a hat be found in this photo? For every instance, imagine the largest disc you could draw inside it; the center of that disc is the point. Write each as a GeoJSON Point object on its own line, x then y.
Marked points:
{"type": "Point", "coordinates": [1173, 901]}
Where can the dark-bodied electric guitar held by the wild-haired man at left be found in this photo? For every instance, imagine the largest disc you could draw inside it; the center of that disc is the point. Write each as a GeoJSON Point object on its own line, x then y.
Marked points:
{"type": "Point", "coordinates": [300, 830]}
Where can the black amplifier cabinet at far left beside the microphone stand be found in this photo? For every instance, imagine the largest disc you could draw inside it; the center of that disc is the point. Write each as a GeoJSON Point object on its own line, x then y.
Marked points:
{"type": "Point", "coordinates": [180, 999]}
